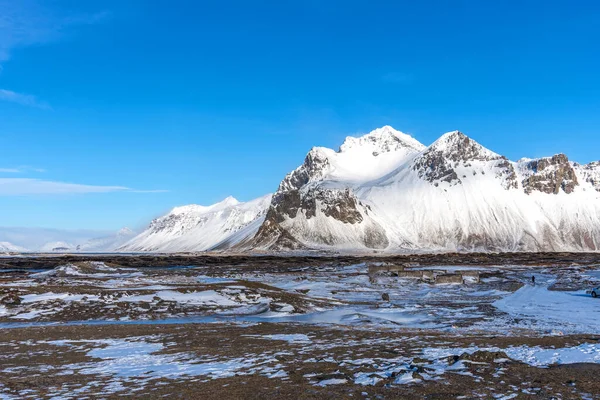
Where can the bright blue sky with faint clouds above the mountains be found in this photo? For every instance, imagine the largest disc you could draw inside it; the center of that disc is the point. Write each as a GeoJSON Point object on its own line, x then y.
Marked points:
{"type": "Point", "coordinates": [113, 112]}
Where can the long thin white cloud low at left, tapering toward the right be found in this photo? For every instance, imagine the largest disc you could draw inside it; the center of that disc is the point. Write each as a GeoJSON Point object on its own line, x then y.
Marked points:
{"type": "Point", "coordinates": [29, 186]}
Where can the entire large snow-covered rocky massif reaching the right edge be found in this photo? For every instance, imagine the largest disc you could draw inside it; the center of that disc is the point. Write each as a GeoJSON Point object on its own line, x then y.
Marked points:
{"type": "Point", "coordinates": [387, 191]}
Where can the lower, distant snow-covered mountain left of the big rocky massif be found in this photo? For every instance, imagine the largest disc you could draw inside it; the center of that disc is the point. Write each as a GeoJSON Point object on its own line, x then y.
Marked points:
{"type": "Point", "coordinates": [199, 228]}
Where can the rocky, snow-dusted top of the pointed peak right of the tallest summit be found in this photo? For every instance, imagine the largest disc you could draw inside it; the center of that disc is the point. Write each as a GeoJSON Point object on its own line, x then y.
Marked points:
{"type": "Point", "coordinates": [454, 152]}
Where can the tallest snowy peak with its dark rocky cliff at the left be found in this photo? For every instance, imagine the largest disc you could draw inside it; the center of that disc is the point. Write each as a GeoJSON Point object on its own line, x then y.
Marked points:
{"type": "Point", "coordinates": [316, 204]}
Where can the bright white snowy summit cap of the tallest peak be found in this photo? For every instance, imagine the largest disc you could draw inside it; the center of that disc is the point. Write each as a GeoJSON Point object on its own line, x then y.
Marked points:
{"type": "Point", "coordinates": [381, 140]}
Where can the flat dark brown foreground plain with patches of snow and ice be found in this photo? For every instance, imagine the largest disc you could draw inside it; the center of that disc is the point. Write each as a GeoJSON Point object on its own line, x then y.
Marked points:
{"type": "Point", "coordinates": [92, 329]}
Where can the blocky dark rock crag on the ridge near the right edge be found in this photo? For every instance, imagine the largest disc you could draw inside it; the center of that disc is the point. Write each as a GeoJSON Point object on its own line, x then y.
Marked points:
{"type": "Point", "coordinates": [550, 175]}
